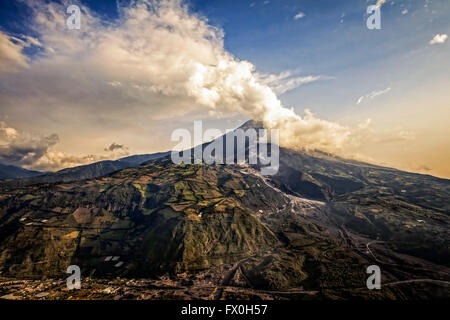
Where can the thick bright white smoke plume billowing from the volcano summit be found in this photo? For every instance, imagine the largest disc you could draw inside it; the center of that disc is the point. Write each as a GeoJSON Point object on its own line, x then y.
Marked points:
{"type": "Point", "coordinates": [166, 49]}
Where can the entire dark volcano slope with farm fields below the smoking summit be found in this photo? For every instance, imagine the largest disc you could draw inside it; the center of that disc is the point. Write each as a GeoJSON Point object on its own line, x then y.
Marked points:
{"type": "Point", "coordinates": [312, 229]}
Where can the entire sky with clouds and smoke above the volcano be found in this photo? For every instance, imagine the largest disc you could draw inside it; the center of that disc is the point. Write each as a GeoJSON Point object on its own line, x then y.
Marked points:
{"type": "Point", "coordinates": [136, 71]}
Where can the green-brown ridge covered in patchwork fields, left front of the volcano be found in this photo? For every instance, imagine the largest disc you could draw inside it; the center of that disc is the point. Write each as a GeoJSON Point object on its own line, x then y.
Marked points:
{"type": "Point", "coordinates": [164, 208]}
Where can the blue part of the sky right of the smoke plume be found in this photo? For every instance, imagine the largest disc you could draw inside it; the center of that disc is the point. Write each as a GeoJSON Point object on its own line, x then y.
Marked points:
{"type": "Point", "coordinates": [331, 39]}
